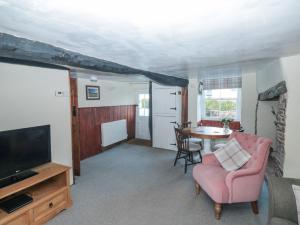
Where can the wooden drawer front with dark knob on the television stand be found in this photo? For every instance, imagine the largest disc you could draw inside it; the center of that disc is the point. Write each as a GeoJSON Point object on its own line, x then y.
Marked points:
{"type": "Point", "coordinates": [50, 208]}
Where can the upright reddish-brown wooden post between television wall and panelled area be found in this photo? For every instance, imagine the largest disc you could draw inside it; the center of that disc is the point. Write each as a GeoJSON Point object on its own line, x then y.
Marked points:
{"type": "Point", "coordinates": [75, 126]}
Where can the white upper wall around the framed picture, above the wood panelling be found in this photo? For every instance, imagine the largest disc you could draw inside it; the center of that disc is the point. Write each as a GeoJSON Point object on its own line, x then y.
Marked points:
{"type": "Point", "coordinates": [112, 93]}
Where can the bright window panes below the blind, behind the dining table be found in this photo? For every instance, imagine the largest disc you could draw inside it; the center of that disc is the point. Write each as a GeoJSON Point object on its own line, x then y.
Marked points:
{"type": "Point", "coordinates": [221, 103]}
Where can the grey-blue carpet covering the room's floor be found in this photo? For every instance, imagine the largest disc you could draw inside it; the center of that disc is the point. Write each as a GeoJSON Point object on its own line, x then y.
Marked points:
{"type": "Point", "coordinates": [138, 185]}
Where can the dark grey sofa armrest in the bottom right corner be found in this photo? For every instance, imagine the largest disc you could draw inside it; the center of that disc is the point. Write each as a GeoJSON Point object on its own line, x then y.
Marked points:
{"type": "Point", "coordinates": [282, 201]}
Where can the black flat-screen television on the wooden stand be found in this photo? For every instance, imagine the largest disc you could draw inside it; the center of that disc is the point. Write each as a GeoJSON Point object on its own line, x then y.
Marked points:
{"type": "Point", "coordinates": [24, 149]}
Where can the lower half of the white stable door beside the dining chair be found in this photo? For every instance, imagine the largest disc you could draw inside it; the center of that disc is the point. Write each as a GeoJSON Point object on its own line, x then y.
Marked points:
{"type": "Point", "coordinates": [163, 132]}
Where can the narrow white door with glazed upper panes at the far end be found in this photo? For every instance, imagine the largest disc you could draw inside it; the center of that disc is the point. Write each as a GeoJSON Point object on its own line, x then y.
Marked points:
{"type": "Point", "coordinates": [142, 116]}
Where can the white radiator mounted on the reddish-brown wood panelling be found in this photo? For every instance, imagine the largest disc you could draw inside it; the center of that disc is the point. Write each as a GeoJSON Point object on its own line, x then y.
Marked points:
{"type": "Point", "coordinates": [113, 132]}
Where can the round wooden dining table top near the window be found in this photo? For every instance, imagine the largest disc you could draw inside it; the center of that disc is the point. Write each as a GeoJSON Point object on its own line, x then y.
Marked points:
{"type": "Point", "coordinates": [204, 132]}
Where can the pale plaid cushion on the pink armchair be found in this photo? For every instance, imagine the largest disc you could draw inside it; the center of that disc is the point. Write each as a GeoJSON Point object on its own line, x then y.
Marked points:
{"type": "Point", "coordinates": [231, 156]}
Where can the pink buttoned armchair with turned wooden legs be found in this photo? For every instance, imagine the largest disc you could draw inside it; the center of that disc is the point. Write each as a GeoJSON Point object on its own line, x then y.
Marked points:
{"type": "Point", "coordinates": [243, 185]}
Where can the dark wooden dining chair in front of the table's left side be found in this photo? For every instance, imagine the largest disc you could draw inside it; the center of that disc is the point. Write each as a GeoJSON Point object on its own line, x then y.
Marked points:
{"type": "Point", "coordinates": [186, 149]}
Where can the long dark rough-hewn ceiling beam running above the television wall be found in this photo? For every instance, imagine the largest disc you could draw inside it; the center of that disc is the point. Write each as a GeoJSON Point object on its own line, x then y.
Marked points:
{"type": "Point", "coordinates": [21, 48]}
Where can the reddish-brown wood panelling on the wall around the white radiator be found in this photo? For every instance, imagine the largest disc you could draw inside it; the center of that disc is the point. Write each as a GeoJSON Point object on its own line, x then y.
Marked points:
{"type": "Point", "coordinates": [90, 120]}
